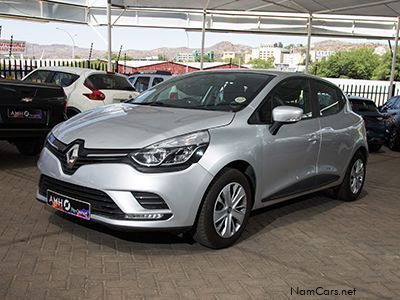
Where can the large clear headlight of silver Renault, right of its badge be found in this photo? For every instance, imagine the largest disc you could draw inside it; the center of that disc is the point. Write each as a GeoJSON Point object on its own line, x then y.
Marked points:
{"type": "Point", "coordinates": [179, 151]}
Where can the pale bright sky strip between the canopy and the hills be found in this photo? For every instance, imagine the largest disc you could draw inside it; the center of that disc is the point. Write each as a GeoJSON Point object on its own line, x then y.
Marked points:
{"type": "Point", "coordinates": [130, 38]}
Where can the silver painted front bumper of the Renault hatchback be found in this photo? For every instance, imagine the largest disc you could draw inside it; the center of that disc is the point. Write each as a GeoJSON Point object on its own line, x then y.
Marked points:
{"type": "Point", "coordinates": [182, 191]}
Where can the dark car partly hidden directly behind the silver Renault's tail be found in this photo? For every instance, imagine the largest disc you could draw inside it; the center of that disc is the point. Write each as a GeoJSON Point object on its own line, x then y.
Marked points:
{"type": "Point", "coordinates": [374, 121]}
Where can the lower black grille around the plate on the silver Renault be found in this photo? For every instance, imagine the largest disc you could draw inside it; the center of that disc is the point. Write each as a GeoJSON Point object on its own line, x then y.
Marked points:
{"type": "Point", "coordinates": [100, 202]}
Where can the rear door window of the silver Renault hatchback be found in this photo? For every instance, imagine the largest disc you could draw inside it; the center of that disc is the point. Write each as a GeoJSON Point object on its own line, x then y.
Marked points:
{"type": "Point", "coordinates": [330, 101]}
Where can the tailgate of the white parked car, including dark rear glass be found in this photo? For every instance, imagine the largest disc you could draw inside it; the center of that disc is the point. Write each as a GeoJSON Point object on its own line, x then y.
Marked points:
{"type": "Point", "coordinates": [115, 88]}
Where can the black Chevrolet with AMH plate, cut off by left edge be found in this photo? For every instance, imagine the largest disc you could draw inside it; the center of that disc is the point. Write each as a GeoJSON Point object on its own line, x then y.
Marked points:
{"type": "Point", "coordinates": [28, 111]}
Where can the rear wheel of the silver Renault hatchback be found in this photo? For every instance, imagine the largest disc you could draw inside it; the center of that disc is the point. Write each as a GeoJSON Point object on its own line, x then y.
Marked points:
{"type": "Point", "coordinates": [351, 187]}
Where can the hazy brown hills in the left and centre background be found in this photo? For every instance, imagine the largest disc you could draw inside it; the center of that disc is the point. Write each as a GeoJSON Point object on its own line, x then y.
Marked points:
{"type": "Point", "coordinates": [65, 51]}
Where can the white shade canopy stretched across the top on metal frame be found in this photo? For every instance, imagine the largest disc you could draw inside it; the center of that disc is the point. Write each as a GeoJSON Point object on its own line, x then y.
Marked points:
{"type": "Point", "coordinates": [340, 18]}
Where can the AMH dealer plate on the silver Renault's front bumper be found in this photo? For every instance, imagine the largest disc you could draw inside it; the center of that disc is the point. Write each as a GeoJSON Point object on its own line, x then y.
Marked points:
{"type": "Point", "coordinates": [69, 205]}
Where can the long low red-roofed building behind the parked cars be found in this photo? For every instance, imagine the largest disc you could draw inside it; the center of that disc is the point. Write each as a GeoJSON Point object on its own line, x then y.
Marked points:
{"type": "Point", "coordinates": [135, 66]}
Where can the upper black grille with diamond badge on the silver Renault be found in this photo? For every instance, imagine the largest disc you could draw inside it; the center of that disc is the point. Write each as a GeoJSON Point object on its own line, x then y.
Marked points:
{"type": "Point", "coordinates": [86, 156]}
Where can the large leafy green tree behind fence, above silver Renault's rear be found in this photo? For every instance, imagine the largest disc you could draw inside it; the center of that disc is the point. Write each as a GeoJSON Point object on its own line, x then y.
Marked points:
{"type": "Point", "coordinates": [357, 63]}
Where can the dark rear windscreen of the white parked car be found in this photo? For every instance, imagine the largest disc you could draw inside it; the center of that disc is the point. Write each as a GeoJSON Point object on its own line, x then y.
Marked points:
{"type": "Point", "coordinates": [109, 82]}
